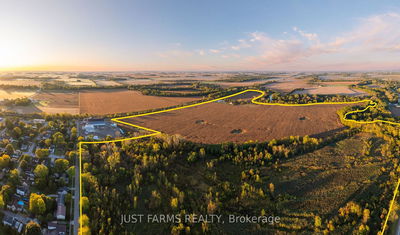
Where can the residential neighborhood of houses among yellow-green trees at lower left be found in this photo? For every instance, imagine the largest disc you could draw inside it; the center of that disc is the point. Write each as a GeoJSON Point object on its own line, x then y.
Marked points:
{"type": "Point", "coordinates": [36, 171]}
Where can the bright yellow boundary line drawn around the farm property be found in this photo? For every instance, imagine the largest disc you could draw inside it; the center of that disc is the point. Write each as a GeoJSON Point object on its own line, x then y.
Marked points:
{"type": "Point", "coordinates": [372, 104]}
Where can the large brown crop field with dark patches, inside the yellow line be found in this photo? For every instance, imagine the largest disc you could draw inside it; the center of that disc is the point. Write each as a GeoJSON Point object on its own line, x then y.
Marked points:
{"type": "Point", "coordinates": [221, 122]}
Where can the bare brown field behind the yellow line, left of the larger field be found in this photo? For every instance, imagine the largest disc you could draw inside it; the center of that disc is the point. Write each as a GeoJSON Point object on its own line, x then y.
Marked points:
{"type": "Point", "coordinates": [123, 101]}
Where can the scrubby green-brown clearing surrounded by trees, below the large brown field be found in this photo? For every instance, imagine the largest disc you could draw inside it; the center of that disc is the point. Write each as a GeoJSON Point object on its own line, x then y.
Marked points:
{"type": "Point", "coordinates": [324, 180]}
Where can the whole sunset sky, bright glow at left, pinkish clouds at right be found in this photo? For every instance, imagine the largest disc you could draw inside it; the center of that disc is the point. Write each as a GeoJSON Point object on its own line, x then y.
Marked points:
{"type": "Point", "coordinates": [199, 35]}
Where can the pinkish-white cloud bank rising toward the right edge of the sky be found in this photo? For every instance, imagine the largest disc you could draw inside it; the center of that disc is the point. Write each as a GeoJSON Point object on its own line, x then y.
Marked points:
{"type": "Point", "coordinates": [374, 37]}
